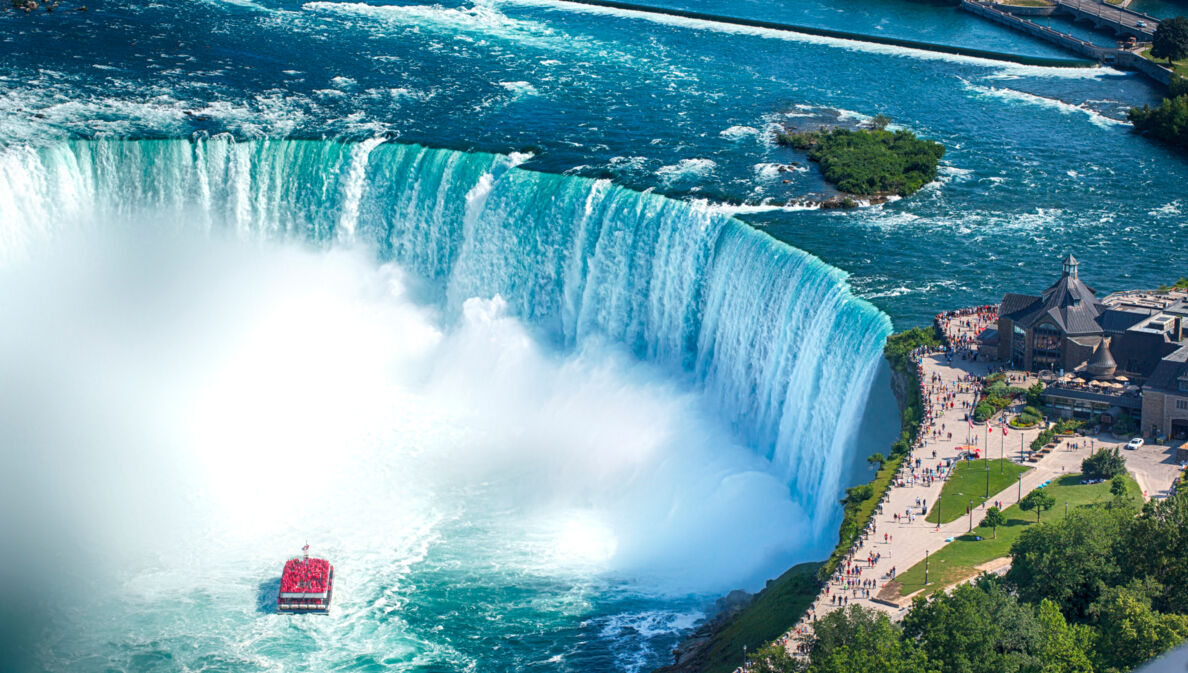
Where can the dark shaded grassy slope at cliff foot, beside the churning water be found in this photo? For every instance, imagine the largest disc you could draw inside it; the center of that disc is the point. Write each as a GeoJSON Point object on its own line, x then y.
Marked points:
{"type": "Point", "coordinates": [774, 611]}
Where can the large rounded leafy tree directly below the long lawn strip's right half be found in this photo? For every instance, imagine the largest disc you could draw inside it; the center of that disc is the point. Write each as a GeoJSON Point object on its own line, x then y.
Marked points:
{"type": "Point", "coordinates": [1070, 562]}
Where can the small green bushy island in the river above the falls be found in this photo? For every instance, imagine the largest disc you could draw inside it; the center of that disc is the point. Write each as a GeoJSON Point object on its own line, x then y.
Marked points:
{"type": "Point", "coordinates": [869, 162]}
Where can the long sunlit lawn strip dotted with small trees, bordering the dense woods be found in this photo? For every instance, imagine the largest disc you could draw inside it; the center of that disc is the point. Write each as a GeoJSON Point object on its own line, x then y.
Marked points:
{"type": "Point", "coordinates": [959, 559]}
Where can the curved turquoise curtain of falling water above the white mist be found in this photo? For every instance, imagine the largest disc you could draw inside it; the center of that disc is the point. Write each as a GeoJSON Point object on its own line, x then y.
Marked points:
{"type": "Point", "coordinates": [772, 336]}
